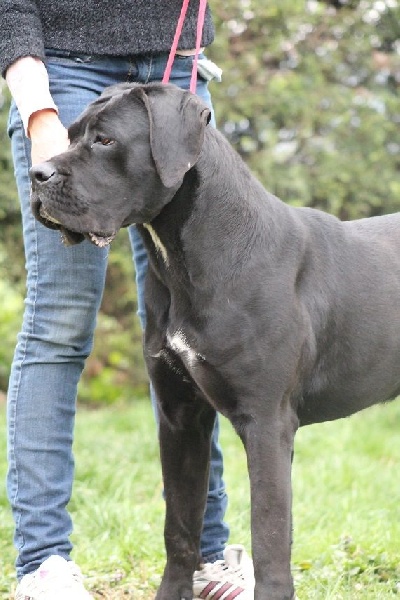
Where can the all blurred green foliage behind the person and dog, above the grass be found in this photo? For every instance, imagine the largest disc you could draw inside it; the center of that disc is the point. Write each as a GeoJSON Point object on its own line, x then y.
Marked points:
{"type": "Point", "coordinates": [310, 99]}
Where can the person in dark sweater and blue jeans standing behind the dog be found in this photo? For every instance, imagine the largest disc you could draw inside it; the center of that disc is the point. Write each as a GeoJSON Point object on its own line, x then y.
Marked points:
{"type": "Point", "coordinates": [57, 56]}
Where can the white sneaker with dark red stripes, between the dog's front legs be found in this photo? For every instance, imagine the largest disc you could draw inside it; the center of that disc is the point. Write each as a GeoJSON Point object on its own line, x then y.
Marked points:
{"type": "Point", "coordinates": [228, 579]}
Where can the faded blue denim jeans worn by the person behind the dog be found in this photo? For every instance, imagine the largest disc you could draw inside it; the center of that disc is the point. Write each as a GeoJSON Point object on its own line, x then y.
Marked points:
{"type": "Point", "coordinates": [64, 291]}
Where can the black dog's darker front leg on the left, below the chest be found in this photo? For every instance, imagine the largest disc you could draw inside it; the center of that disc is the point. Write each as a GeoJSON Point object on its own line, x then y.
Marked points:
{"type": "Point", "coordinates": [185, 457]}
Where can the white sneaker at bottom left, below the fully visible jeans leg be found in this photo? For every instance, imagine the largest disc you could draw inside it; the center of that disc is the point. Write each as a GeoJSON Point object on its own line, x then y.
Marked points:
{"type": "Point", "coordinates": [55, 579]}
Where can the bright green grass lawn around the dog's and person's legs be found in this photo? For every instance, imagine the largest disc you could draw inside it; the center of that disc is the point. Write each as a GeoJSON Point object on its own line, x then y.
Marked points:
{"type": "Point", "coordinates": [346, 505]}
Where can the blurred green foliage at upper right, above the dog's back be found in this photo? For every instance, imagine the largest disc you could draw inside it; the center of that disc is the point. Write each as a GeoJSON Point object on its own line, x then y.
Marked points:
{"type": "Point", "coordinates": [310, 99]}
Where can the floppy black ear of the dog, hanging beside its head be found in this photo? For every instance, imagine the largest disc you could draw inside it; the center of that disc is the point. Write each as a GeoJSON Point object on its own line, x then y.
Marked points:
{"type": "Point", "coordinates": [177, 123]}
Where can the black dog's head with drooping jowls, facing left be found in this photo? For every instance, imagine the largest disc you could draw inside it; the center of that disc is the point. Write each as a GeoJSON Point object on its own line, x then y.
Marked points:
{"type": "Point", "coordinates": [129, 152]}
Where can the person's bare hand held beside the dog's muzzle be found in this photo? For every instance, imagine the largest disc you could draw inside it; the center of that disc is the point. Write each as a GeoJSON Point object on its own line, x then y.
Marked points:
{"type": "Point", "coordinates": [48, 135]}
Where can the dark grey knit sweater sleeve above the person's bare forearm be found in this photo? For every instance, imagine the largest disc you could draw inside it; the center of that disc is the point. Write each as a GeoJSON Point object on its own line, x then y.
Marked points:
{"type": "Point", "coordinates": [21, 32]}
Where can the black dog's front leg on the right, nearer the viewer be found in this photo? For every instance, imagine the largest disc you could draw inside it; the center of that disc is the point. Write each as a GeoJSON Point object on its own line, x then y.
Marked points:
{"type": "Point", "coordinates": [268, 440]}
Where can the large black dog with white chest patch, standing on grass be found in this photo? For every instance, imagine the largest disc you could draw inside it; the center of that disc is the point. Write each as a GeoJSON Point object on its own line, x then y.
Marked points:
{"type": "Point", "coordinates": [275, 316]}
